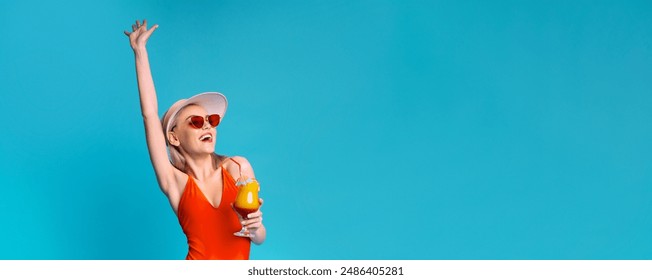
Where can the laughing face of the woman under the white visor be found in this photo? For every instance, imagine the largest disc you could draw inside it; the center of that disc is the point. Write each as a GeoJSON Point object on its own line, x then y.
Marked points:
{"type": "Point", "coordinates": [194, 140]}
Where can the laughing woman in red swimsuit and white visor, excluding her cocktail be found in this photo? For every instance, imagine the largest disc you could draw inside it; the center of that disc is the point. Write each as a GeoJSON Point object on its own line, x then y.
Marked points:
{"type": "Point", "coordinates": [197, 182]}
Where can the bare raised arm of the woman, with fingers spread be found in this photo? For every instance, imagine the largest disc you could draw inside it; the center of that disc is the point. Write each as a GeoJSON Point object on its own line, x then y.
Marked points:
{"type": "Point", "coordinates": [149, 107]}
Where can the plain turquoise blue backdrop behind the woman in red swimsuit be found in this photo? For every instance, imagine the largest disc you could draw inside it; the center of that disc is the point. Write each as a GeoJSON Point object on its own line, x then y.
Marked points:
{"type": "Point", "coordinates": [378, 129]}
